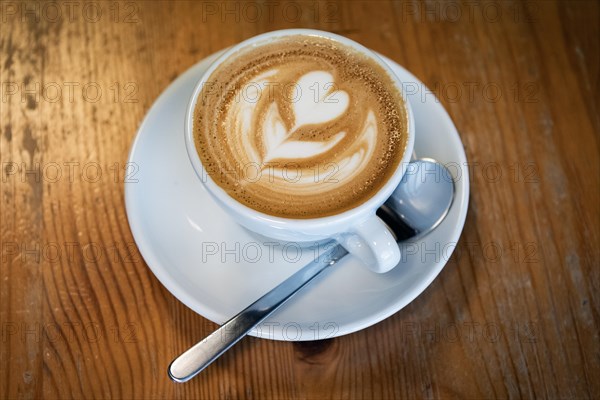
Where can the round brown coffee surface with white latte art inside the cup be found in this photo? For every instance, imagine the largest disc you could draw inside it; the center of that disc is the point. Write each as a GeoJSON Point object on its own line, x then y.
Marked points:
{"type": "Point", "coordinates": [300, 127]}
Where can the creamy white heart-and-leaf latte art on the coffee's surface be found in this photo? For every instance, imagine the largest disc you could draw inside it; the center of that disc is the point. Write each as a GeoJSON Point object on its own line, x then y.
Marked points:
{"type": "Point", "coordinates": [300, 132]}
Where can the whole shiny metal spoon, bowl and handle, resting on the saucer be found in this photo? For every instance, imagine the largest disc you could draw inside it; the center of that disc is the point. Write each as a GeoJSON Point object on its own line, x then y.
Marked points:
{"type": "Point", "coordinates": [417, 206]}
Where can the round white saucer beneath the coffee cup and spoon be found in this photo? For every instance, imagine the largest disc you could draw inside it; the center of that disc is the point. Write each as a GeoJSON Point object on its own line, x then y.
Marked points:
{"type": "Point", "coordinates": [177, 227]}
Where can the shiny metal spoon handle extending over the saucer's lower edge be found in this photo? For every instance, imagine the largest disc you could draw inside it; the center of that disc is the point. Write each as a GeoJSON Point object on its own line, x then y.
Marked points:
{"type": "Point", "coordinates": [194, 360]}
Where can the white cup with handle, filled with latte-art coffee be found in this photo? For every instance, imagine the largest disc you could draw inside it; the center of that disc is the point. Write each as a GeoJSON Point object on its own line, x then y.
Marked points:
{"type": "Point", "coordinates": [301, 135]}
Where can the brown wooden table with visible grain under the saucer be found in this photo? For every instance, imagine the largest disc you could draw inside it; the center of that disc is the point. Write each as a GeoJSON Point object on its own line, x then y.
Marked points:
{"type": "Point", "coordinates": [514, 313]}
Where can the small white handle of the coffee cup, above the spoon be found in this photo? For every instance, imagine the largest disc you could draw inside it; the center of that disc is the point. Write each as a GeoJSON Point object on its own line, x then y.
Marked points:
{"type": "Point", "coordinates": [372, 243]}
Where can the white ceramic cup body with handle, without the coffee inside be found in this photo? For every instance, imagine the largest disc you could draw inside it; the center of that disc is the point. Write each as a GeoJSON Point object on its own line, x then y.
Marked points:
{"type": "Point", "coordinates": [359, 230]}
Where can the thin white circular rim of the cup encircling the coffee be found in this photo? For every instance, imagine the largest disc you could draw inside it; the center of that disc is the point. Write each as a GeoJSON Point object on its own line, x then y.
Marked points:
{"type": "Point", "coordinates": [368, 207]}
